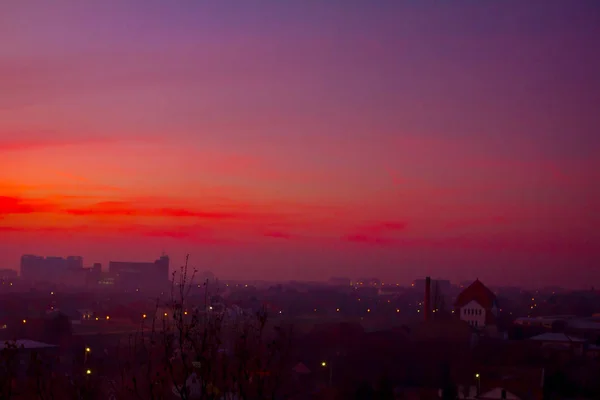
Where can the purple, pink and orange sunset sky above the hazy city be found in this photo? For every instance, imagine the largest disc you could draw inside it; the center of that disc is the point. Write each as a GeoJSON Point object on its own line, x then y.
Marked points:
{"type": "Point", "coordinates": [305, 139]}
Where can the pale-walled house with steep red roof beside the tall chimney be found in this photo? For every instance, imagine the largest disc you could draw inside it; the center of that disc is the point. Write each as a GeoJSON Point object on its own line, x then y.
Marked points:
{"type": "Point", "coordinates": [477, 306]}
